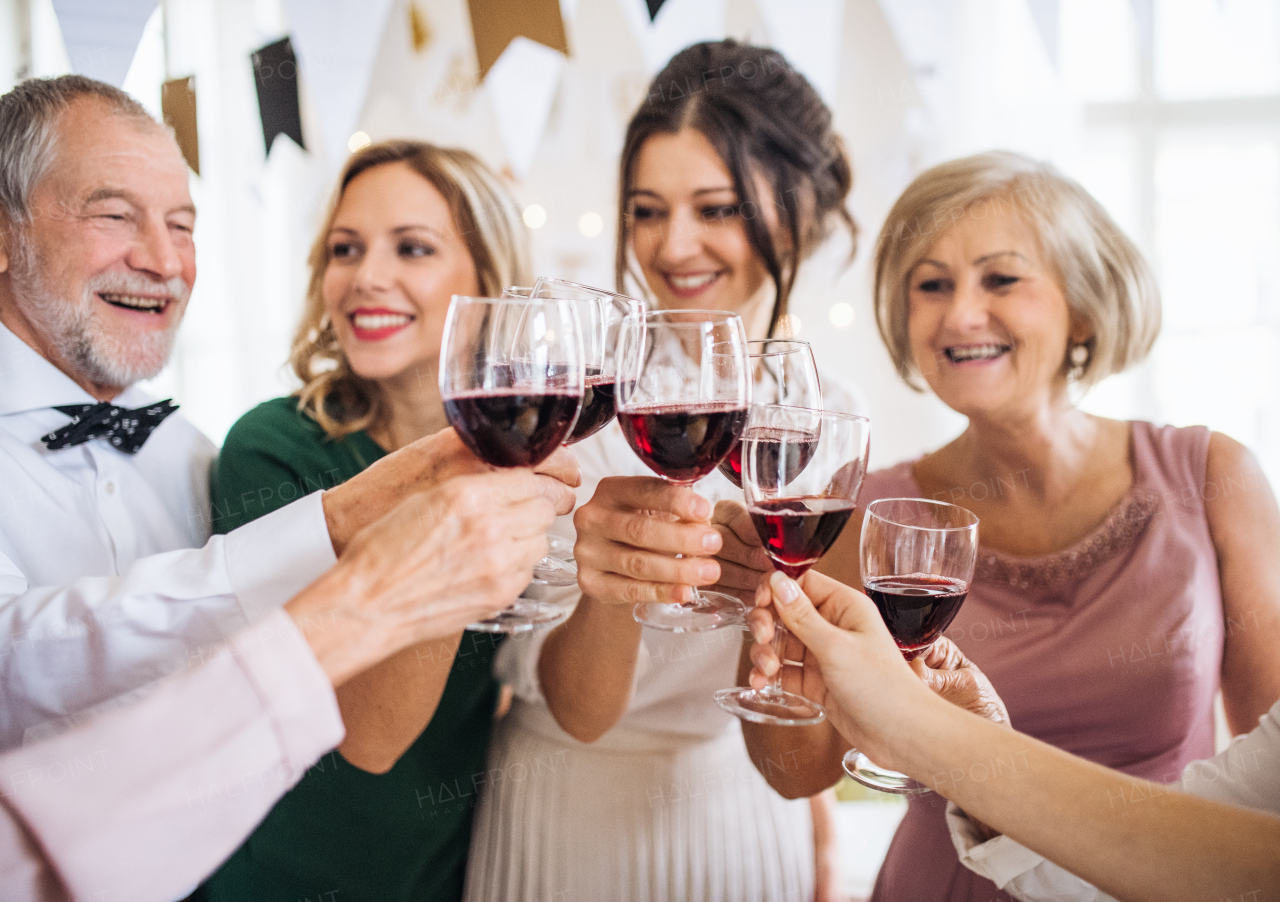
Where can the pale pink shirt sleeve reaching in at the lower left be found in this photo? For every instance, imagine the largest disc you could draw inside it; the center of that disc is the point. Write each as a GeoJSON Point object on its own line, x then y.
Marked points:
{"type": "Point", "coordinates": [148, 800]}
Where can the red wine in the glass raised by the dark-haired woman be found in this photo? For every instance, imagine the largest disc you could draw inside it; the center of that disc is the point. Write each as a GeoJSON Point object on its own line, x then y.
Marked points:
{"type": "Point", "coordinates": [683, 442]}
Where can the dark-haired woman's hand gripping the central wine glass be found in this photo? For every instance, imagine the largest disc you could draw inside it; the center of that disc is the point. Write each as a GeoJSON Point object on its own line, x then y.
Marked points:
{"type": "Point", "coordinates": [628, 538]}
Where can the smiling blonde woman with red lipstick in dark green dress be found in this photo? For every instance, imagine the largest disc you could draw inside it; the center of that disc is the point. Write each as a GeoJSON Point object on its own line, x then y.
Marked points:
{"type": "Point", "coordinates": [388, 817]}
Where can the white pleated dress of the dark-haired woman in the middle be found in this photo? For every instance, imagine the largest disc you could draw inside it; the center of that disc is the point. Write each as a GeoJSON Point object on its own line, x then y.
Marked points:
{"type": "Point", "coordinates": [666, 807]}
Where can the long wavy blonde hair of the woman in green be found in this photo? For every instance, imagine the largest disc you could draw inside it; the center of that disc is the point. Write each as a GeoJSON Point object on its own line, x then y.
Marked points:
{"type": "Point", "coordinates": [486, 217]}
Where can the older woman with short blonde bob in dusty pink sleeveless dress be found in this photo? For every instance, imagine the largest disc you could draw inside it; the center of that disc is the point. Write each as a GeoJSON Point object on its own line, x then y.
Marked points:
{"type": "Point", "coordinates": [1127, 570]}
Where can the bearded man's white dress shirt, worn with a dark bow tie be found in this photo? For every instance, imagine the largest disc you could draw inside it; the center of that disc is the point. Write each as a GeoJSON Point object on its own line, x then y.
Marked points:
{"type": "Point", "coordinates": [104, 585]}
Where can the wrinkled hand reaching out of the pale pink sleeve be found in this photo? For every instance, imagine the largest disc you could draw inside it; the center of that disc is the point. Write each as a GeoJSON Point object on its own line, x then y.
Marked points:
{"type": "Point", "coordinates": [440, 561]}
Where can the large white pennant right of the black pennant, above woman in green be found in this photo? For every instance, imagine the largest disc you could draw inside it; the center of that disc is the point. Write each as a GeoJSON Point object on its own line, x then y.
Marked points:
{"type": "Point", "coordinates": [336, 43]}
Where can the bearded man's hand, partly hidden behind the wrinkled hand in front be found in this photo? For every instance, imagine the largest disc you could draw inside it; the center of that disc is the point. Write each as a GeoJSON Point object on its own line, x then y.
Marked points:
{"type": "Point", "coordinates": [420, 468]}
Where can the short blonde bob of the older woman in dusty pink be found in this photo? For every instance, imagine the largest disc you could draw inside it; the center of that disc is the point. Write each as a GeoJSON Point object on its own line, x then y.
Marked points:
{"type": "Point", "coordinates": [1104, 276]}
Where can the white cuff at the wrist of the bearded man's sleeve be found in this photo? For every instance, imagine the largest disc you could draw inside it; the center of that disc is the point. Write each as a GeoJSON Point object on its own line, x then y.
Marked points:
{"type": "Point", "coordinates": [276, 557]}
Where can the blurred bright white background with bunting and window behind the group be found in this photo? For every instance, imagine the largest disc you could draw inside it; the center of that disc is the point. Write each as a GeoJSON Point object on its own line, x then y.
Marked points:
{"type": "Point", "coordinates": [1168, 111]}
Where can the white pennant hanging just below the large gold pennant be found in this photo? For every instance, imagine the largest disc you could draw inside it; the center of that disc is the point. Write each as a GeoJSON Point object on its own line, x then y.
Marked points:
{"type": "Point", "coordinates": [523, 88]}
